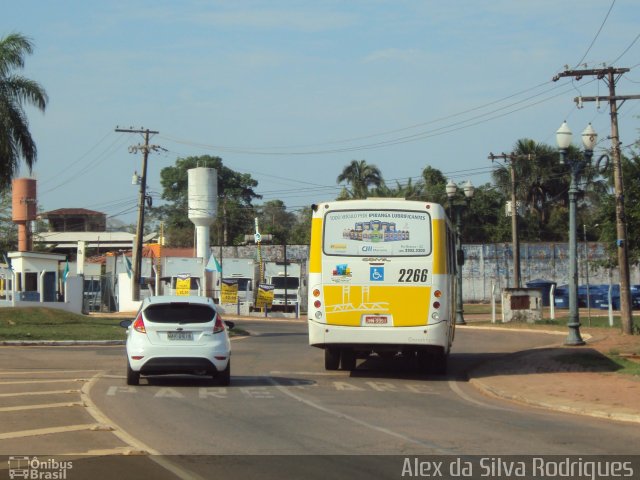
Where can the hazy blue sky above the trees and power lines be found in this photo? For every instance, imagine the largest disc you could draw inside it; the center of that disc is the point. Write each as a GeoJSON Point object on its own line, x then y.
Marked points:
{"type": "Point", "coordinates": [291, 91]}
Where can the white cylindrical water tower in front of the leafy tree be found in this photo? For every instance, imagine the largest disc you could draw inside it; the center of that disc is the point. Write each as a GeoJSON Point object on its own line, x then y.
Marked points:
{"type": "Point", "coordinates": [203, 205]}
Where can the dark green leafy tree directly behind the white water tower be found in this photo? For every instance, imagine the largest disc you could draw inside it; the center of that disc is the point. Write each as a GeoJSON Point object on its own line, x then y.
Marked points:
{"type": "Point", "coordinates": [235, 210]}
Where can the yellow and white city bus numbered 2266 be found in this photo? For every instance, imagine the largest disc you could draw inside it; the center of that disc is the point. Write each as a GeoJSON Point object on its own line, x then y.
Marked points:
{"type": "Point", "coordinates": [382, 280]}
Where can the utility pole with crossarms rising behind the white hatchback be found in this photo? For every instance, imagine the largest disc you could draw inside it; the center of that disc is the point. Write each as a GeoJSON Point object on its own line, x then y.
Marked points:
{"type": "Point", "coordinates": [136, 259]}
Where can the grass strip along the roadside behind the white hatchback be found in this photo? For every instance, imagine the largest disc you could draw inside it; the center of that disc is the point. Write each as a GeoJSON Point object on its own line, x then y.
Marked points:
{"type": "Point", "coordinates": [52, 324]}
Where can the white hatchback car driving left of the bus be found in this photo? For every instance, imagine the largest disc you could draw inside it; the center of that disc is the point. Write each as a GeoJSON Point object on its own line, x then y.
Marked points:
{"type": "Point", "coordinates": [178, 335]}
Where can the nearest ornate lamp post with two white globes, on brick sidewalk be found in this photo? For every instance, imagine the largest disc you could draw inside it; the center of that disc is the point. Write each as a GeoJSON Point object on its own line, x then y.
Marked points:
{"type": "Point", "coordinates": [576, 166]}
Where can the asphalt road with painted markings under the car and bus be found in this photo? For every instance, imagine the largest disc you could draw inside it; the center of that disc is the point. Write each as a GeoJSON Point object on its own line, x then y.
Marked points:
{"type": "Point", "coordinates": [282, 402]}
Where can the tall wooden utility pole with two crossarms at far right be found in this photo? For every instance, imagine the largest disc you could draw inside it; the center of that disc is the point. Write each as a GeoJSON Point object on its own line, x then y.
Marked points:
{"type": "Point", "coordinates": [611, 75]}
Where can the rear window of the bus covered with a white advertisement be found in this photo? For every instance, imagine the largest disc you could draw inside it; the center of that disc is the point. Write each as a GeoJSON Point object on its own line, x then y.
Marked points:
{"type": "Point", "coordinates": [377, 232]}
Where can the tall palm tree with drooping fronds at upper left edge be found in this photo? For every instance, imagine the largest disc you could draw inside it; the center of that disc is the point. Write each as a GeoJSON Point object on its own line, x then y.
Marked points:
{"type": "Point", "coordinates": [15, 92]}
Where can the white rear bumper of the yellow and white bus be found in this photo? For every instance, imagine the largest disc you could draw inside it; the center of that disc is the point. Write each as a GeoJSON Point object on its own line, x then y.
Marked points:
{"type": "Point", "coordinates": [322, 335]}
